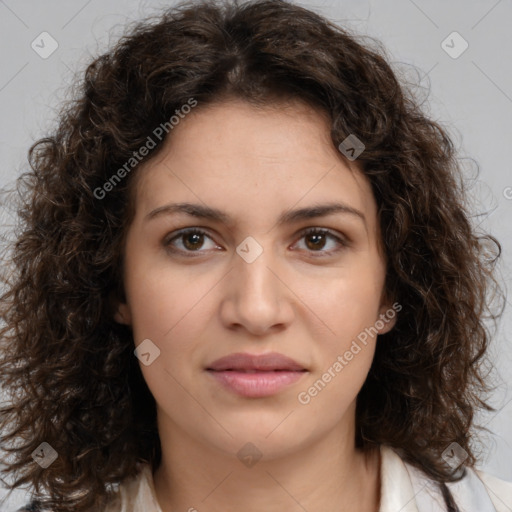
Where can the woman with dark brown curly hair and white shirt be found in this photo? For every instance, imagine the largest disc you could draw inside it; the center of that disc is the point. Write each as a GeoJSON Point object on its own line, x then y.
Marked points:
{"type": "Point", "coordinates": [246, 280]}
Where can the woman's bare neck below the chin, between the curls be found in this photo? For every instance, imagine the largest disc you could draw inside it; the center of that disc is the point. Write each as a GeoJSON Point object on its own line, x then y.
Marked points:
{"type": "Point", "coordinates": [327, 475]}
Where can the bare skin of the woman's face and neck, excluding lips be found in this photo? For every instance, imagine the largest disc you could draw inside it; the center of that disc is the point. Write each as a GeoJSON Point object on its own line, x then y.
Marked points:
{"type": "Point", "coordinates": [294, 299]}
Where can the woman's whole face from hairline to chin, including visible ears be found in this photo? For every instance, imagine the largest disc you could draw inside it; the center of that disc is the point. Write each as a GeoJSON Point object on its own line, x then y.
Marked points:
{"type": "Point", "coordinates": [254, 282]}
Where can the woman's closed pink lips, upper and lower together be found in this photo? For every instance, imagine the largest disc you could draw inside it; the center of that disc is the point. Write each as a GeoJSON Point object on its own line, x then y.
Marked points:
{"type": "Point", "coordinates": [256, 376]}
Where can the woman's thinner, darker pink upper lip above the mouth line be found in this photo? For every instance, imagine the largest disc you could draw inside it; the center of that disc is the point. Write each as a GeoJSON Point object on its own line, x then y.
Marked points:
{"type": "Point", "coordinates": [245, 361]}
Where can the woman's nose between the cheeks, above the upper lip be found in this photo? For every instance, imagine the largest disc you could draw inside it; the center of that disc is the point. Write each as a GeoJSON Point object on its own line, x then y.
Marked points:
{"type": "Point", "coordinates": [256, 296]}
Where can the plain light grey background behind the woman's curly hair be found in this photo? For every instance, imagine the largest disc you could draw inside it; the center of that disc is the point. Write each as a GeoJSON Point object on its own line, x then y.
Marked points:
{"type": "Point", "coordinates": [471, 95]}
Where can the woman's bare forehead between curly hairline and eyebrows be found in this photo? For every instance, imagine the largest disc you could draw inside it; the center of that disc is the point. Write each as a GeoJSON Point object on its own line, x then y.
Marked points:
{"type": "Point", "coordinates": [234, 156]}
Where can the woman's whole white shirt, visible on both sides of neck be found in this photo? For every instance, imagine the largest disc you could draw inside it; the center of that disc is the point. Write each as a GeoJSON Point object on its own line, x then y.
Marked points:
{"type": "Point", "coordinates": [403, 489]}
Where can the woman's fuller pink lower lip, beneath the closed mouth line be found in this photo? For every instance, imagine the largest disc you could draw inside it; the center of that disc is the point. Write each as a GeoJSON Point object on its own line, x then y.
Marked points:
{"type": "Point", "coordinates": [256, 384]}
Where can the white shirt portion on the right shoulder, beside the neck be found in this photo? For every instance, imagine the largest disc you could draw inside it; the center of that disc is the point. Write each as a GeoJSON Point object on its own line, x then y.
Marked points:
{"type": "Point", "coordinates": [404, 485]}
